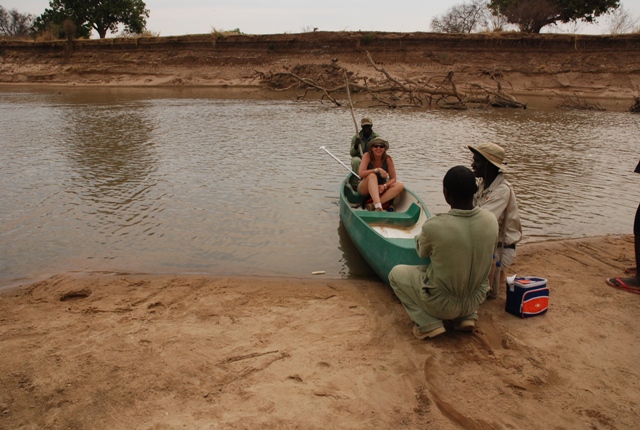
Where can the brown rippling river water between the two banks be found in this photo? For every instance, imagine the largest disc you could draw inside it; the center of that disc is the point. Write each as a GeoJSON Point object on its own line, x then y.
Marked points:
{"type": "Point", "coordinates": [192, 181]}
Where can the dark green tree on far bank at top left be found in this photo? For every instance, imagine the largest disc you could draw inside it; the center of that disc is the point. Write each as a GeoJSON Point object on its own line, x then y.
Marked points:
{"type": "Point", "coordinates": [99, 15]}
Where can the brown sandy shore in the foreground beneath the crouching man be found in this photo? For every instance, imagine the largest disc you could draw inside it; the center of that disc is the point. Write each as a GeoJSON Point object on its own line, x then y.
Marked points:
{"type": "Point", "coordinates": [121, 351]}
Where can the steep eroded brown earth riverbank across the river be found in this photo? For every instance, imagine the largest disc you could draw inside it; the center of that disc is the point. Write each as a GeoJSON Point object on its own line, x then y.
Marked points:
{"type": "Point", "coordinates": [543, 68]}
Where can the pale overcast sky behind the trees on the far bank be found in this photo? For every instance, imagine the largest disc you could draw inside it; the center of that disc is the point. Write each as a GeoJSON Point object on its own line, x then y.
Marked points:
{"type": "Point", "coordinates": [175, 18]}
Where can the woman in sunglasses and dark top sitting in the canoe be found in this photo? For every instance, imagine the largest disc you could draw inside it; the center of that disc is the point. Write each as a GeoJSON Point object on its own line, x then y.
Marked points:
{"type": "Point", "coordinates": [378, 174]}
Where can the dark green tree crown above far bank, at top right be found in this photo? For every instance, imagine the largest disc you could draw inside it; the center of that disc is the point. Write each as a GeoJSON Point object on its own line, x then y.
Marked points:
{"type": "Point", "coordinates": [531, 15]}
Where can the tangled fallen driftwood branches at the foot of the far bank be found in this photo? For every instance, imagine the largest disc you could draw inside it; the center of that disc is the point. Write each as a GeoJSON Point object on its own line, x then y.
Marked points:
{"type": "Point", "coordinates": [392, 91]}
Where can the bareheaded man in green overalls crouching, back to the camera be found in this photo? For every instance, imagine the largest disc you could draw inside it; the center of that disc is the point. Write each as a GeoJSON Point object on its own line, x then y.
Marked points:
{"type": "Point", "coordinates": [460, 245]}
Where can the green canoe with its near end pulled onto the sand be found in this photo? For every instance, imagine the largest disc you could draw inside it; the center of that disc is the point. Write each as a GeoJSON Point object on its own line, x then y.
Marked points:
{"type": "Point", "coordinates": [384, 239]}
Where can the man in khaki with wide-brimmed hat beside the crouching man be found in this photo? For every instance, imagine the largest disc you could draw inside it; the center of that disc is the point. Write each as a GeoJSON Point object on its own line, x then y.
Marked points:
{"type": "Point", "coordinates": [496, 195]}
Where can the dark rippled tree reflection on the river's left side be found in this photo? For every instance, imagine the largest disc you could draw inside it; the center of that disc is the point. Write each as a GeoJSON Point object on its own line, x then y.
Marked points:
{"type": "Point", "coordinates": [111, 151]}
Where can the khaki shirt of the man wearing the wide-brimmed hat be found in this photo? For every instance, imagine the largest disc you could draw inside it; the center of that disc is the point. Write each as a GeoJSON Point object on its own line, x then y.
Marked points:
{"type": "Point", "coordinates": [495, 200]}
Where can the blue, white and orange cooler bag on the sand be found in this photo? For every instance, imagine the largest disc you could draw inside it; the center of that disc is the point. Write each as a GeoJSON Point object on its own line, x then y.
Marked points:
{"type": "Point", "coordinates": [527, 296]}
